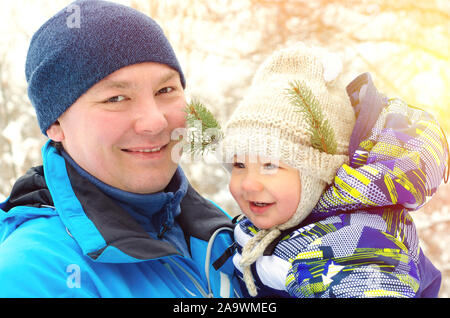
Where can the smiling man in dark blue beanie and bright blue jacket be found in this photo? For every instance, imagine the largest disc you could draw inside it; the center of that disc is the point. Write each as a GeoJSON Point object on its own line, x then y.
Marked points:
{"type": "Point", "coordinates": [109, 214]}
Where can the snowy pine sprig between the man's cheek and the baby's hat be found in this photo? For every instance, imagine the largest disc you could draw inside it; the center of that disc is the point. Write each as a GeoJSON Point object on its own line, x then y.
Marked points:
{"type": "Point", "coordinates": [204, 130]}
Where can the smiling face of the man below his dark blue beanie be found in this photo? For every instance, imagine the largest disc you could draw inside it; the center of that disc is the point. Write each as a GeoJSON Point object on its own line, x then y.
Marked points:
{"type": "Point", "coordinates": [120, 129]}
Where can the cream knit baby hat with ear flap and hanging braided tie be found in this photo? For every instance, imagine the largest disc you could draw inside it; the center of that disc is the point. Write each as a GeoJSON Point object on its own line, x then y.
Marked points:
{"type": "Point", "coordinates": [266, 123]}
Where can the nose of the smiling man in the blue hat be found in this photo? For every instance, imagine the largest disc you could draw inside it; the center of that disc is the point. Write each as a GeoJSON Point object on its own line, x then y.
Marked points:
{"type": "Point", "coordinates": [150, 118]}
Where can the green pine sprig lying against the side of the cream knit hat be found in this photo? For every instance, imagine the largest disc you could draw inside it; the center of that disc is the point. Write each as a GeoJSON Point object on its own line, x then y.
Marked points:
{"type": "Point", "coordinates": [322, 135]}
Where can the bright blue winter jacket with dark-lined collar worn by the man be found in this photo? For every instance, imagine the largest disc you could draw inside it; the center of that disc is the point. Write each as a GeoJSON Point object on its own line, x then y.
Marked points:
{"type": "Point", "coordinates": [60, 236]}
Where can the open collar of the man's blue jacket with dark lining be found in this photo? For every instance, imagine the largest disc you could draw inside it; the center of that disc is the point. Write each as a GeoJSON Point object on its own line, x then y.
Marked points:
{"type": "Point", "coordinates": [107, 233]}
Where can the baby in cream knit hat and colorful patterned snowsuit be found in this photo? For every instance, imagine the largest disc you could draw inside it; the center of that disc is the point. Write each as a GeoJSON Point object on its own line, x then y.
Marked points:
{"type": "Point", "coordinates": [326, 193]}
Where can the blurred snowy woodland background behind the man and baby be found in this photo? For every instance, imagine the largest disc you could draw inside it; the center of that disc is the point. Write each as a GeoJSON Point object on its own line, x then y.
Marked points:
{"type": "Point", "coordinates": [404, 44]}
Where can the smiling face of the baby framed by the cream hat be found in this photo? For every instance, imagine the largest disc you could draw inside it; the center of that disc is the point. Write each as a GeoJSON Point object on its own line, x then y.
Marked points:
{"type": "Point", "coordinates": [268, 192]}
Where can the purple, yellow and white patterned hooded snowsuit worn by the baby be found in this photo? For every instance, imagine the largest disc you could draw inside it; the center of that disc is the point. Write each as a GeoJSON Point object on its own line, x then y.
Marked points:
{"type": "Point", "coordinates": [359, 240]}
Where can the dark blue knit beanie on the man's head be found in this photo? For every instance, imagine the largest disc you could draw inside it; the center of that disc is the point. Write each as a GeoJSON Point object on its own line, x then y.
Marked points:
{"type": "Point", "coordinates": [67, 56]}
